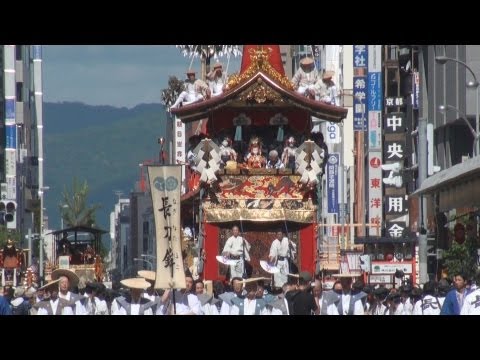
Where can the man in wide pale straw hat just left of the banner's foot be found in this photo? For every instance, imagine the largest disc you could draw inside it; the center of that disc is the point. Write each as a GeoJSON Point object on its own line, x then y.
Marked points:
{"type": "Point", "coordinates": [133, 303]}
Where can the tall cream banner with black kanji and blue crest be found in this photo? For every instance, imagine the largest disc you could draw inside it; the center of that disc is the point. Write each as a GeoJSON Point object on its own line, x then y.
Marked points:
{"type": "Point", "coordinates": [165, 184]}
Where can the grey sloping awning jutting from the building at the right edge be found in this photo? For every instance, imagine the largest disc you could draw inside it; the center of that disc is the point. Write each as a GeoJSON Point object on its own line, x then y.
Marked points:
{"type": "Point", "coordinates": [457, 186]}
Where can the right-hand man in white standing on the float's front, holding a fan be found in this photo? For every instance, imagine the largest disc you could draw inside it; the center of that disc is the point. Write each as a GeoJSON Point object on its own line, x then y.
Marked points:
{"type": "Point", "coordinates": [281, 249]}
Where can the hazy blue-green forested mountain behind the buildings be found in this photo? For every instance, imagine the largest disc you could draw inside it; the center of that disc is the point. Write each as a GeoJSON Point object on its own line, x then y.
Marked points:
{"type": "Point", "coordinates": [103, 145]}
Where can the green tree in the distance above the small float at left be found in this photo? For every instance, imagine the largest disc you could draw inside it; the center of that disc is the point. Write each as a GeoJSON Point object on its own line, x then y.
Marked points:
{"type": "Point", "coordinates": [74, 209]}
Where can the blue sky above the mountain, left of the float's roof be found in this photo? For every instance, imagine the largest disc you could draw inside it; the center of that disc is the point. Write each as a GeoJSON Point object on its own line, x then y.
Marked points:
{"type": "Point", "coordinates": [117, 75]}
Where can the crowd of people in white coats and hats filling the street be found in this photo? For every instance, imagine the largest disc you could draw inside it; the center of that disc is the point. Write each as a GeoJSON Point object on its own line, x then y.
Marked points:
{"type": "Point", "coordinates": [300, 294]}
